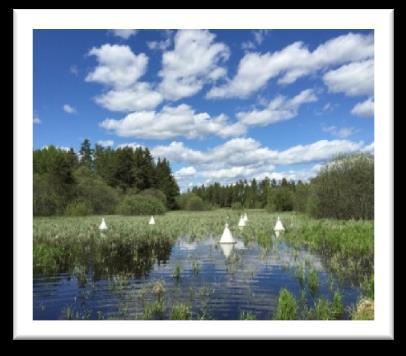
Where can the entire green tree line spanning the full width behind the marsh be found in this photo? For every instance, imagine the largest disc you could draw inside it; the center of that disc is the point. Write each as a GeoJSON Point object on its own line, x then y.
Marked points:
{"type": "Point", "coordinates": [129, 181]}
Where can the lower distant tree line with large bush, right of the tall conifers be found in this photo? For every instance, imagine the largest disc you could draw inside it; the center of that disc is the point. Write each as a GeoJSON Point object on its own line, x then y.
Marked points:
{"type": "Point", "coordinates": [343, 189]}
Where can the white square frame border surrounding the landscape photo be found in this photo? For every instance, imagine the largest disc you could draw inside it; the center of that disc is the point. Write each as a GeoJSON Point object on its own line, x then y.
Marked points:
{"type": "Point", "coordinates": [27, 20]}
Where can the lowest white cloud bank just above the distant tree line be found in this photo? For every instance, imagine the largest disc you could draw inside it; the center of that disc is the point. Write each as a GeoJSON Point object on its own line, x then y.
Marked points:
{"type": "Point", "coordinates": [246, 158]}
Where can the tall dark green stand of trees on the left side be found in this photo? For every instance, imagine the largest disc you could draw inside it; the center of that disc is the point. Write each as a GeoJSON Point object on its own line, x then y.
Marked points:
{"type": "Point", "coordinates": [100, 180]}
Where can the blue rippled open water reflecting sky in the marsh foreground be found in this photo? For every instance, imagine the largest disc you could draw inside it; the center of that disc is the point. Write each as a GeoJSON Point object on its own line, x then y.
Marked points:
{"type": "Point", "coordinates": [216, 281]}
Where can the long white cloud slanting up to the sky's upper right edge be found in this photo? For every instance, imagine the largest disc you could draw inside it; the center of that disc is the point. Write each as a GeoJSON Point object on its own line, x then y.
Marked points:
{"type": "Point", "coordinates": [292, 62]}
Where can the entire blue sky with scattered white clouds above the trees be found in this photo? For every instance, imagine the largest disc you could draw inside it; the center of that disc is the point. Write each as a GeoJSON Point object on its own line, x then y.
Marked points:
{"type": "Point", "coordinates": [221, 105]}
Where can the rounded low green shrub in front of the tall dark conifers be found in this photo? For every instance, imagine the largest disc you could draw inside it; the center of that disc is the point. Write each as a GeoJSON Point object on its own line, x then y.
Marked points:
{"type": "Point", "coordinates": [140, 205]}
